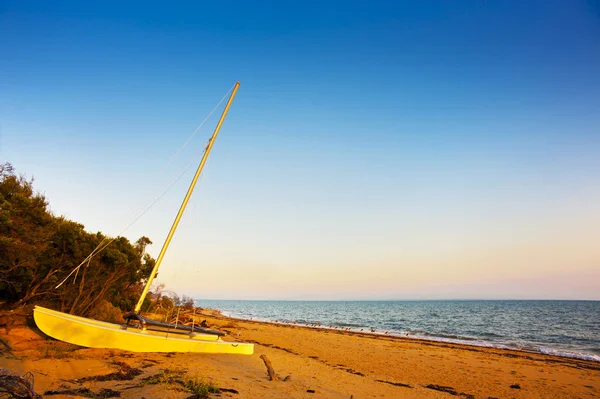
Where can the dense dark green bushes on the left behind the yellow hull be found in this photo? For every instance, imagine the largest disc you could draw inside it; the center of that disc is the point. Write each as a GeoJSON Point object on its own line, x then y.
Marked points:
{"type": "Point", "coordinates": [38, 250]}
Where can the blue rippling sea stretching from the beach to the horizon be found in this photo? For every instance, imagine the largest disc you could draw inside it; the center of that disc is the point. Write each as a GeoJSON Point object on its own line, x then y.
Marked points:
{"type": "Point", "coordinates": [563, 328]}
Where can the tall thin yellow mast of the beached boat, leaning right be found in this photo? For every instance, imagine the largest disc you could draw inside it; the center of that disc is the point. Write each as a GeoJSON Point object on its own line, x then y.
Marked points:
{"type": "Point", "coordinates": [161, 255]}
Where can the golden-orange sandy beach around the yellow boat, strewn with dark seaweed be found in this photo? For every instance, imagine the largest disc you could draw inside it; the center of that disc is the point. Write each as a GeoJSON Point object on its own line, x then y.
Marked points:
{"type": "Point", "coordinates": [310, 363]}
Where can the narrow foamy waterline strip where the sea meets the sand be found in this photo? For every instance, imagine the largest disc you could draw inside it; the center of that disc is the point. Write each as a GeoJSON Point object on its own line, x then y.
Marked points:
{"type": "Point", "coordinates": [466, 342]}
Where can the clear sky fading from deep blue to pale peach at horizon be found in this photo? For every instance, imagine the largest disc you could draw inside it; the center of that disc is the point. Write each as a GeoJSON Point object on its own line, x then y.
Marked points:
{"type": "Point", "coordinates": [375, 150]}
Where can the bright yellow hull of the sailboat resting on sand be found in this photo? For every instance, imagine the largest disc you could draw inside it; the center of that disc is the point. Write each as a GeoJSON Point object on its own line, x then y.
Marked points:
{"type": "Point", "coordinates": [98, 334]}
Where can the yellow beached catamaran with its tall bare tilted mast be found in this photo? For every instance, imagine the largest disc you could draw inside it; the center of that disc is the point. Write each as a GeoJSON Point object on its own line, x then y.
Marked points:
{"type": "Point", "coordinates": [139, 334]}
